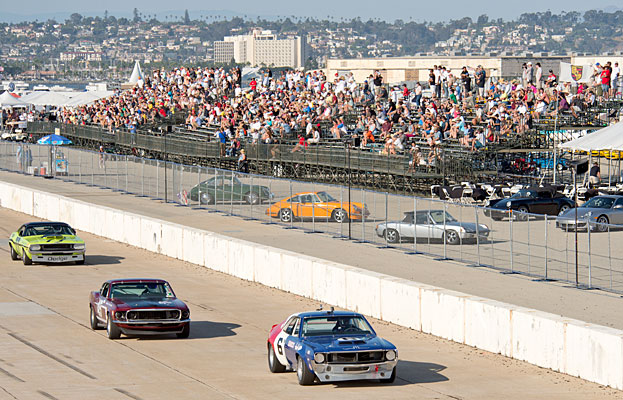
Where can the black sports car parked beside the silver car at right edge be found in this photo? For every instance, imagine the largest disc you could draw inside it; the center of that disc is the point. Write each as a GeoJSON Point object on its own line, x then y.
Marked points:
{"type": "Point", "coordinates": [531, 200]}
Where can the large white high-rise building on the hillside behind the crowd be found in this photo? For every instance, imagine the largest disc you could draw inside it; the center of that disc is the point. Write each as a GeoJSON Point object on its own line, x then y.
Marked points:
{"type": "Point", "coordinates": [262, 48]}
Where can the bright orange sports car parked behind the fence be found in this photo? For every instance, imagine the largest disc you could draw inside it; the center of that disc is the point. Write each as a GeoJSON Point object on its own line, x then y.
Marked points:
{"type": "Point", "coordinates": [316, 205]}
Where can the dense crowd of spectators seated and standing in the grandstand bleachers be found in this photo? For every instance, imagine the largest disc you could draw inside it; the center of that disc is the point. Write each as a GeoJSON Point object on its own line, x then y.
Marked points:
{"type": "Point", "coordinates": [470, 109]}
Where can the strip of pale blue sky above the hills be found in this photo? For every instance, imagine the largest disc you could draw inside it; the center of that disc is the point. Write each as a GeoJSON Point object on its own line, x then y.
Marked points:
{"type": "Point", "coordinates": [418, 10]}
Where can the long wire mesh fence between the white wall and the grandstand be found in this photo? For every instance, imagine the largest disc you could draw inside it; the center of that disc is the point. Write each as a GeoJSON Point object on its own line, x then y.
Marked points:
{"type": "Point", "coordinates": [519, 243]}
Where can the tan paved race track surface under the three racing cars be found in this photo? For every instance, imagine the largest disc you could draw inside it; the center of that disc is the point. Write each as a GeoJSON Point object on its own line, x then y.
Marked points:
{"type": "Point", "coordinates": [48, 351]}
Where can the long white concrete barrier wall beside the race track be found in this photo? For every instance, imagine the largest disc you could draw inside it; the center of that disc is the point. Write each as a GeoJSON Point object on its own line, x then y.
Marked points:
{"type": "Point", "coordinates": [592, 352]}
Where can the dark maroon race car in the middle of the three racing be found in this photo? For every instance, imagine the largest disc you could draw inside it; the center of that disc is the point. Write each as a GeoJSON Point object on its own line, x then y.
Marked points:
{"type": "Point", "coordinates": [139, 307]}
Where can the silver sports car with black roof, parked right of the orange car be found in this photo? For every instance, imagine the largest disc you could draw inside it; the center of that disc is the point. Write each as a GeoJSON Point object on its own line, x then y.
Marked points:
{"type": "Point", "coordinates": [429, 224]}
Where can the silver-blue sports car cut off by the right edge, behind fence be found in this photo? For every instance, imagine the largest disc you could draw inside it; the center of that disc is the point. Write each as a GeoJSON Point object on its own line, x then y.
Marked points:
{"type": "Point", "coordinates": [600, 211]}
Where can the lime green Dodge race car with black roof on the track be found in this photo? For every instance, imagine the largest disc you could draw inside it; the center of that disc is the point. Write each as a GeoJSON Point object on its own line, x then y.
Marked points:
{"type": "Point", "coordinates": [47, 242]}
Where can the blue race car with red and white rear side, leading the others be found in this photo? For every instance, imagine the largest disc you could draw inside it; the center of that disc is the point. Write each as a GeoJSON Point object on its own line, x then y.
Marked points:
{"type": "Point", "coordinates": [330, 346]}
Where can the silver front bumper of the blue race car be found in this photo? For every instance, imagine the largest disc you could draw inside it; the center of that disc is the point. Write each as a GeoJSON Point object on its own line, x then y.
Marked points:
{"type": "Point", "coordinates": [351, 372]}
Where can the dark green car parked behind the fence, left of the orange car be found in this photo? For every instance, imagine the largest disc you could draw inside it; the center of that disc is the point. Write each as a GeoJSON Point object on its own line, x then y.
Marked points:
{"type": "Point", "coordinates": [229, 188]}
